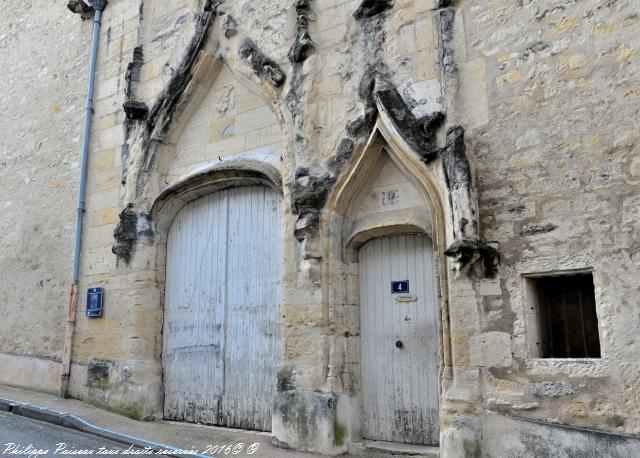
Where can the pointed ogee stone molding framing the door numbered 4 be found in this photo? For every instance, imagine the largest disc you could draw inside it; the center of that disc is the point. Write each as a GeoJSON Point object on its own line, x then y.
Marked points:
{"type": "Point", "coordinates": [386, 142]}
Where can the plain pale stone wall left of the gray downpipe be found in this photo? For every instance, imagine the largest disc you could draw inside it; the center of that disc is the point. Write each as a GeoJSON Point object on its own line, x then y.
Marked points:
{"type": "Point", "coordinates": [43, 60]}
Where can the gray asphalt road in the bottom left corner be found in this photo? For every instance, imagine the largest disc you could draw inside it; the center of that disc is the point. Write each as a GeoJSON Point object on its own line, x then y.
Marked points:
{"type": "Point", "coordinates": [18, 433]}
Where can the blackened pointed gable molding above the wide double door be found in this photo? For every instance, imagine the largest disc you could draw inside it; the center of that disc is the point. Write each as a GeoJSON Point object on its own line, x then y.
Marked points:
{"type": "Point", "coordinates": [152, 139]}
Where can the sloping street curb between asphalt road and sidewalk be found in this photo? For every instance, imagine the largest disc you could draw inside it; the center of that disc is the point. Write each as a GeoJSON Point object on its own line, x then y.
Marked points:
{"type": "Point", "coordinates": [71, 421]}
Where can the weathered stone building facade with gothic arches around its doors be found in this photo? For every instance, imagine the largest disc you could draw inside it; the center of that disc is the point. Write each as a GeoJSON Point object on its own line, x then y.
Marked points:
{"type": "Point", "coordinates": [504, 133]}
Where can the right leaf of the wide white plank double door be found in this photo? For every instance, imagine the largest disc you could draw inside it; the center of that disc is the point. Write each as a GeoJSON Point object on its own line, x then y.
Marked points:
{"type": "Point", "coordinates": [253, 307]}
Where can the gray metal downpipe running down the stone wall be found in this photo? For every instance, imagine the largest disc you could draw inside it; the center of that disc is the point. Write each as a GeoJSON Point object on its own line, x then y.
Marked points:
{"type": "Point", "coordinates": [98, 6]}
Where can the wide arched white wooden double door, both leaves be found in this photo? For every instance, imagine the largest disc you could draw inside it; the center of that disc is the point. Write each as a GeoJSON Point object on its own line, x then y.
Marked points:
{"type": "Point", "coordinates": [221, 344]}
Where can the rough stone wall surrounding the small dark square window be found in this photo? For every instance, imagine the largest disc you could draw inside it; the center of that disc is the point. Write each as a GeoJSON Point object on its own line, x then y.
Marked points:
{"type": "Point", "coordinates": [556, 161]}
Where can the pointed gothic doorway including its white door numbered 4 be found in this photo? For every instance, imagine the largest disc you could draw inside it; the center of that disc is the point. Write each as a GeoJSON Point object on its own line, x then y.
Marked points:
{"type": "Point", "coordinates": [388, 206]}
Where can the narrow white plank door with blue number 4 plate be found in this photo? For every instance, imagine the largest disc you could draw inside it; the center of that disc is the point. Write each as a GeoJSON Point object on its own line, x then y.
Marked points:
{"type": "Point", "coordinates": [399, 340]}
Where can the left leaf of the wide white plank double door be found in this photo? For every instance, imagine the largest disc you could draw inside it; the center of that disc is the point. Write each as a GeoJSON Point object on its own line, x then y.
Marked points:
{"type": "Point", "coordinates": [193, 349]}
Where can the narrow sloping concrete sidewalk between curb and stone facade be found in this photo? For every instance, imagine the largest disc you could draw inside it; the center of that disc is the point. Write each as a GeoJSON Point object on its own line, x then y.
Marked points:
{"type": "Point", "coordinates": [178, 435]}
